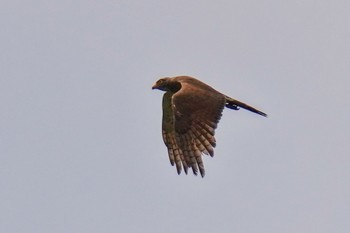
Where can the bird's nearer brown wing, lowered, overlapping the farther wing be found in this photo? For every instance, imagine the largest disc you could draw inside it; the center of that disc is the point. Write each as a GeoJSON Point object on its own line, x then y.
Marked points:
{"type": "Point", "coordinates": [196, 111]}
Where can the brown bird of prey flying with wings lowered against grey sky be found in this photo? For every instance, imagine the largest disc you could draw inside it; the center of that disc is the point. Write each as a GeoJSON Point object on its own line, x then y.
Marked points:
{"type": "Point", "coordinates": [191, 112]}
